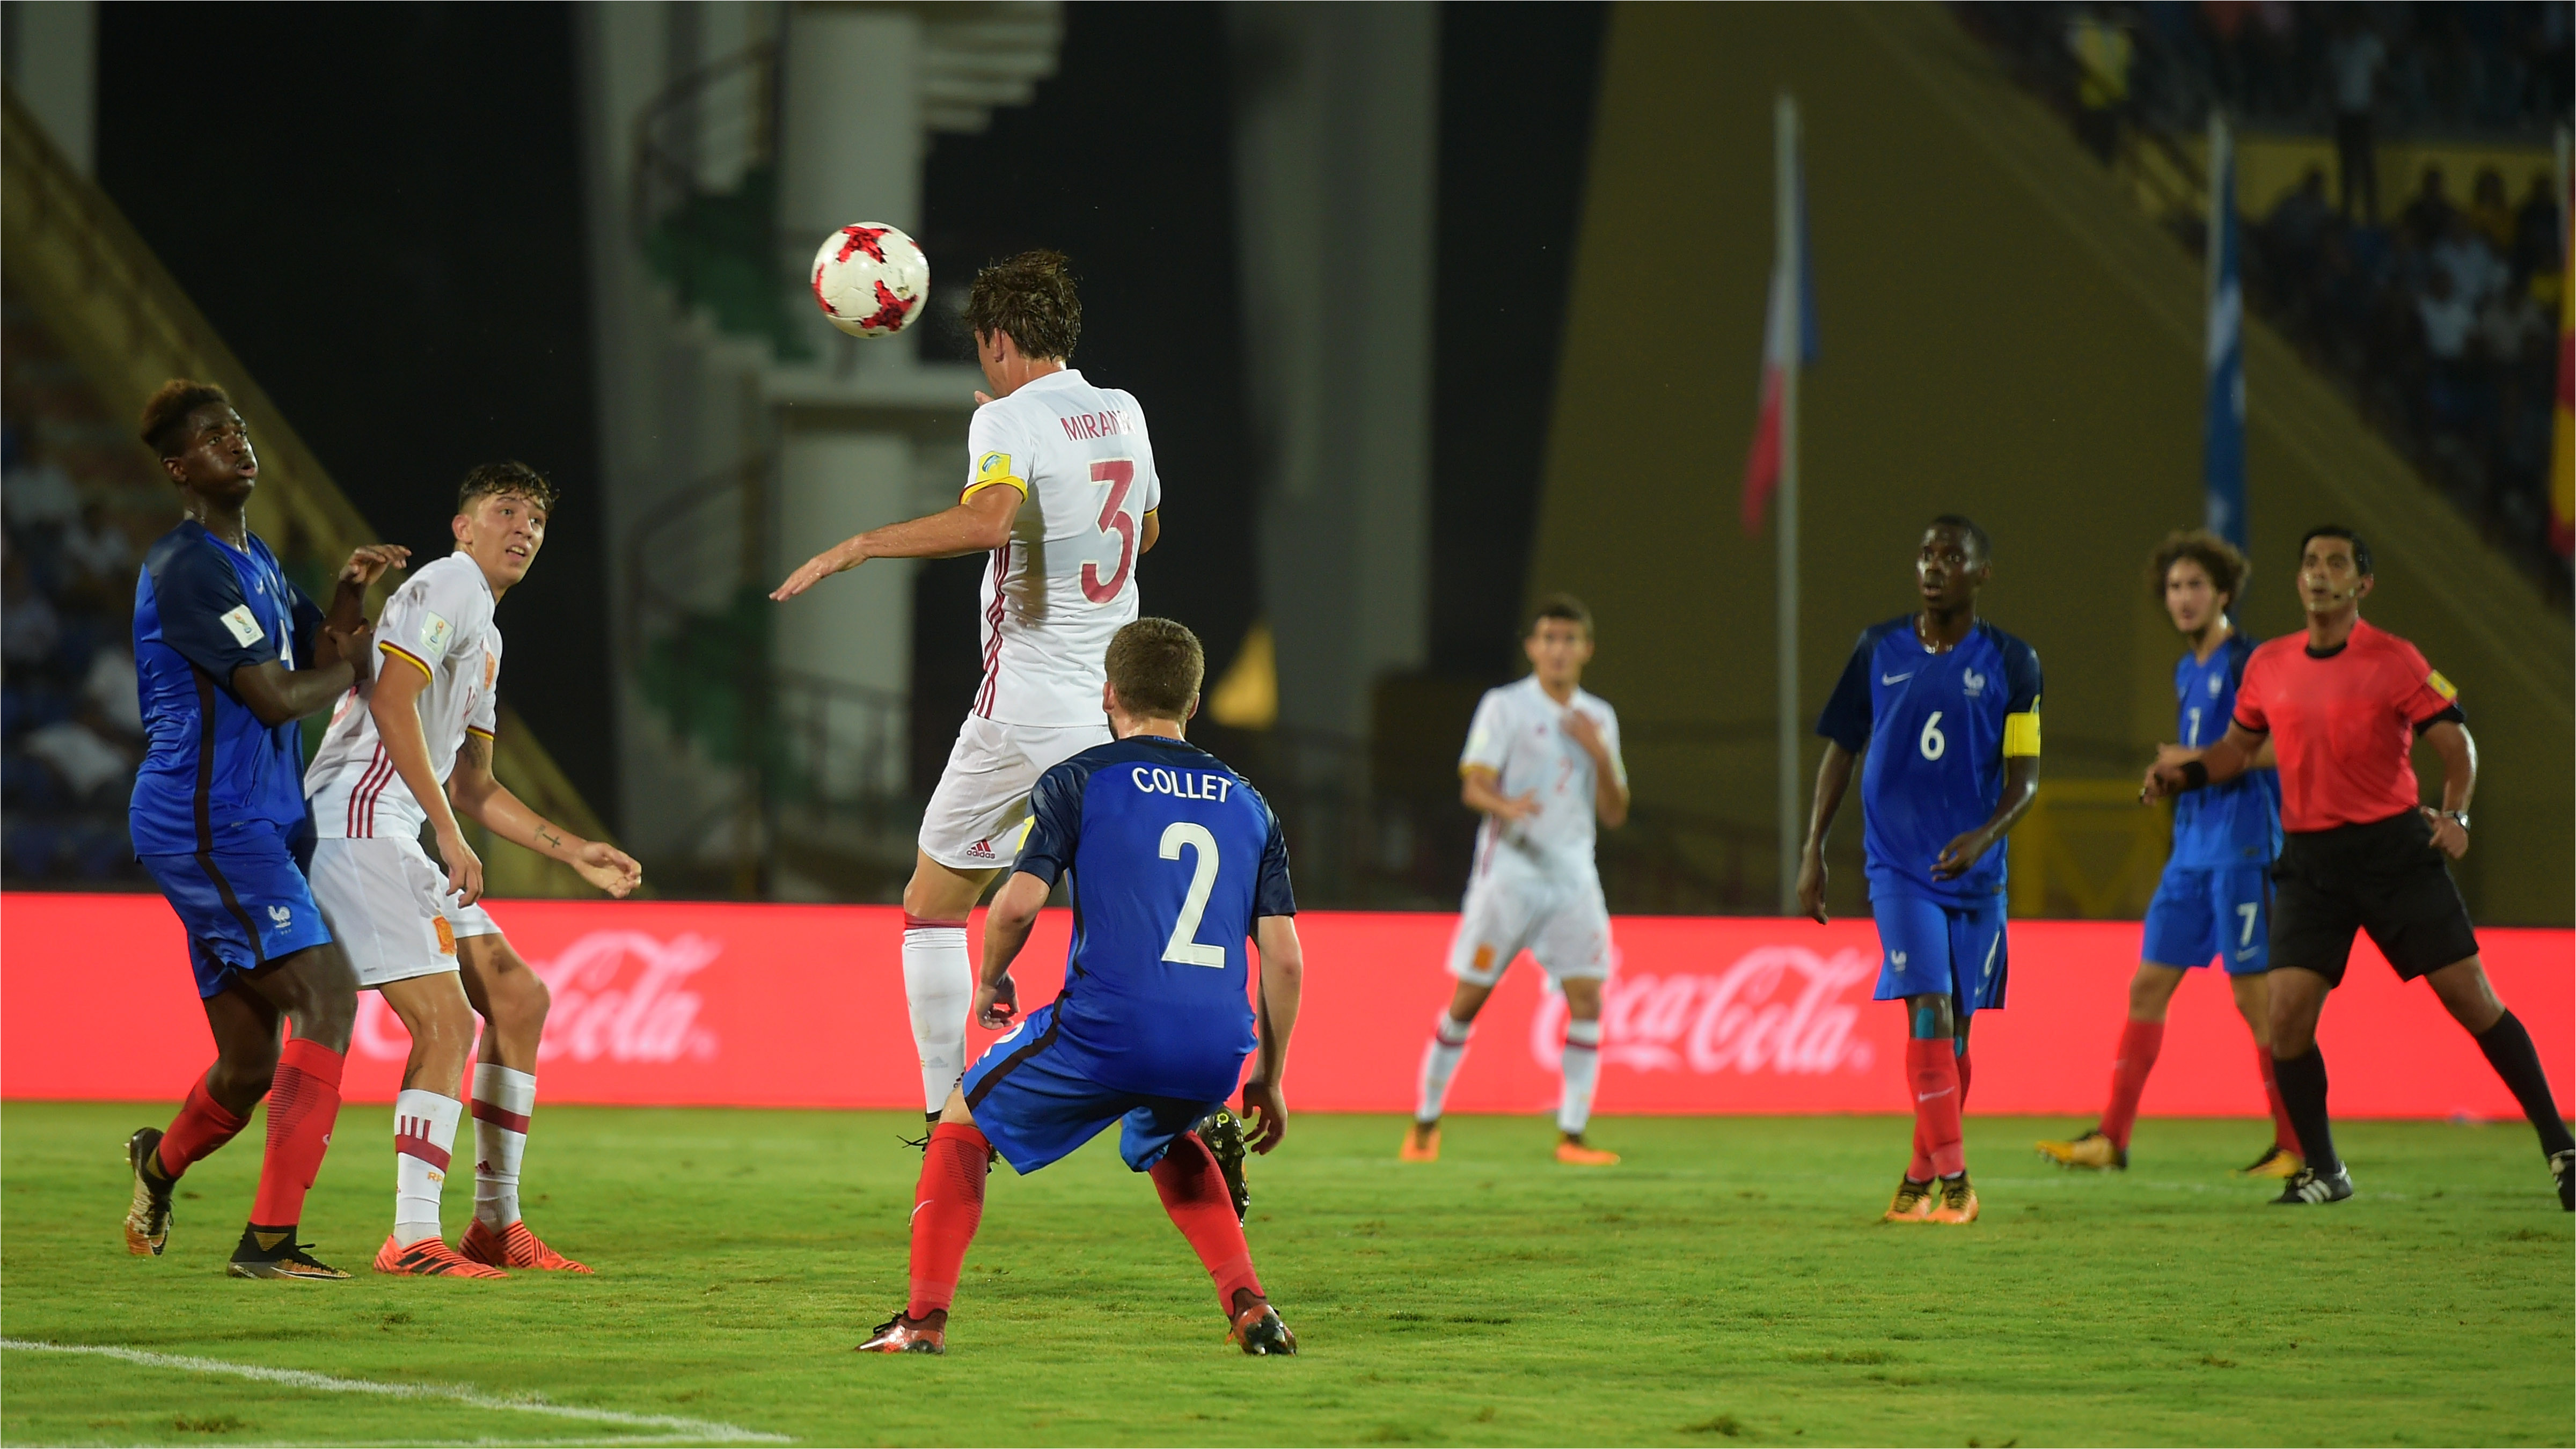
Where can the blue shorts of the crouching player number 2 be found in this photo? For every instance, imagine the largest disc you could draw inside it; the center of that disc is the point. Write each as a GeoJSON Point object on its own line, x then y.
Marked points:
{"type": "Point", "coordinates": [1034, 1110]}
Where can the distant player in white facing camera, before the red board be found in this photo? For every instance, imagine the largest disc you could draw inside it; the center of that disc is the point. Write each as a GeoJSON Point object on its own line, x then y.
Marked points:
{"type": "Point", "coordinates": [1542, 764]}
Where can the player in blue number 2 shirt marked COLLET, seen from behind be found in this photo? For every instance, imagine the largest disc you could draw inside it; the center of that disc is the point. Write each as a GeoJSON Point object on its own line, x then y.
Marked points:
{"type": "Point", "coordinates": [1176, 862]}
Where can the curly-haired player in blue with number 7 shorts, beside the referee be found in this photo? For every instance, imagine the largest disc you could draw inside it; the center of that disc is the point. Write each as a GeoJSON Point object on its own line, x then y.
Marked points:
{"type": "Point", "coordinates": [2219, 880]}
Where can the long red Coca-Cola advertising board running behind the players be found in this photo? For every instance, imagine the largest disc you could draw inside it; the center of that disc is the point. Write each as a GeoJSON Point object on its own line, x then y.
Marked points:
{"type": "Point", "coordinates": [805, 1007]}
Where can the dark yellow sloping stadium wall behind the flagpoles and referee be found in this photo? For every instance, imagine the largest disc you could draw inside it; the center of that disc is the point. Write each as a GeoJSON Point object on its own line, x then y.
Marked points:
{"type": "Point", "coordinates": [2005, 336]}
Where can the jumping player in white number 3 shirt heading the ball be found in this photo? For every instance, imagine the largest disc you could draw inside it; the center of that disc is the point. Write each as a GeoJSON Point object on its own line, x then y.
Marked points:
{"type": "Point", "coordinates": [1063, 494]}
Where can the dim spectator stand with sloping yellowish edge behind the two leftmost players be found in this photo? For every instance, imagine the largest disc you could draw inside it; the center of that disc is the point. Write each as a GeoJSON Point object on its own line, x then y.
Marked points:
{"type": "Point", "coordinates": [94, 324]}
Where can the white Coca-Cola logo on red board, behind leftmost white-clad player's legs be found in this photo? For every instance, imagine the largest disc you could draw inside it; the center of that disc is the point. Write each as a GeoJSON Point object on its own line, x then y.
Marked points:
{"type": "Point", "coordinates": [617, 997]}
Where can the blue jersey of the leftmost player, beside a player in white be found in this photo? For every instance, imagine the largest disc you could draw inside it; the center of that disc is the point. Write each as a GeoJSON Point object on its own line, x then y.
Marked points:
{"type": "Point", "coordinates": [205, 610]}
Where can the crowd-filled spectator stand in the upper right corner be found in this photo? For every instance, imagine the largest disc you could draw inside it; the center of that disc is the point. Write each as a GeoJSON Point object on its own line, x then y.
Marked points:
{"type": "Point", "coordinates": [2428, 306]}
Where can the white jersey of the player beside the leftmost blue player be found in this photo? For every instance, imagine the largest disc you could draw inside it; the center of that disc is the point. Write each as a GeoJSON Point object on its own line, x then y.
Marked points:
{"type": "Point", "coordinates": [442, 625]}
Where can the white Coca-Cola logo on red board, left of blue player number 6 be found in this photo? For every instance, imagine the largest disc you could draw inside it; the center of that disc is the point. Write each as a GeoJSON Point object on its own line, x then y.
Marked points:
{"type": "Point", "coordinates": [1776, 1009]}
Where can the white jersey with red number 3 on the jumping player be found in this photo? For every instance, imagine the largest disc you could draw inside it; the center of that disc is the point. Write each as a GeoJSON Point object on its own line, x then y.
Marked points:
{"type": "Point", "coordinates": [1068, 579]}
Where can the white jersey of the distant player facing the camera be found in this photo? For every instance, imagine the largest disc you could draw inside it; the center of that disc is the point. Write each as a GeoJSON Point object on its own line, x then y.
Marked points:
{"type": "Point", "coordinates": [1521, 736]}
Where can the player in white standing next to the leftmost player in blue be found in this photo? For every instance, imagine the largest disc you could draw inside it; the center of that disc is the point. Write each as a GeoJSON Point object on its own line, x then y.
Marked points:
{"type": "Point", "coordinates": [413, 746]}
